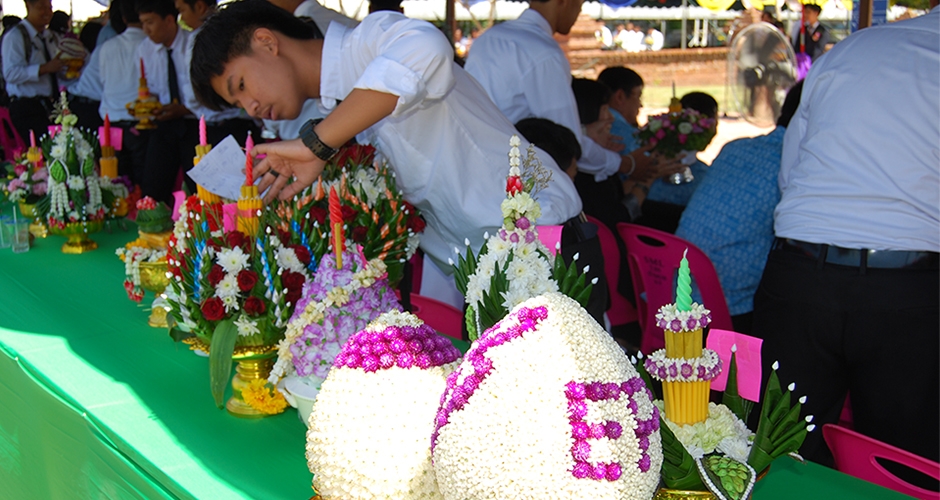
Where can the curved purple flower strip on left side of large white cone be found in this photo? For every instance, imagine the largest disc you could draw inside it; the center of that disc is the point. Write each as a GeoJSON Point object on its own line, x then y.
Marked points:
{"type": "Point", "coordinates": [455, 397]}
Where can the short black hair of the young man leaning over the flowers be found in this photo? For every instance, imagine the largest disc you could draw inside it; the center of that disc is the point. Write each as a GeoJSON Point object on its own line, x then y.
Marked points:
{"type": "Point", "coordinates": [227, 35]}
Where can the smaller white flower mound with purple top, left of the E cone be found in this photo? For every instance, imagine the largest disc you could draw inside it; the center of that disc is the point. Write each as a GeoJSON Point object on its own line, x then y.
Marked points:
{"type": "Point", "coordinates": [369, 427]}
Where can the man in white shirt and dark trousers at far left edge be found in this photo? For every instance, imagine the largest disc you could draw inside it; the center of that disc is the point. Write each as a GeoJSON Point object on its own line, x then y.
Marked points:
{"type": "Point", "coordinates": [30, 70]}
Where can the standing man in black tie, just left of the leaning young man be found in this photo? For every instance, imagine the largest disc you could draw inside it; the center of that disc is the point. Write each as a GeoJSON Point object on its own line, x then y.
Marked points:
{"type": "Point", "coordinates": [164, 57]}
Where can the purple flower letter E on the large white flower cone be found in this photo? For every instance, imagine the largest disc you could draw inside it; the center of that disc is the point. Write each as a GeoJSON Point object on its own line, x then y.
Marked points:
{"type": "Point", "coordinates": [578, 395]}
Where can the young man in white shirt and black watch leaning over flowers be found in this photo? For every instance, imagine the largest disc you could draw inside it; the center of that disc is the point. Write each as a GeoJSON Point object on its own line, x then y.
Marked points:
{"type": "Point", "coordinates": [391, 82]}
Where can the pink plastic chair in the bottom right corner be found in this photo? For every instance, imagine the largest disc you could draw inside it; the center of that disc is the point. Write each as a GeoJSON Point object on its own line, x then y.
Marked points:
{"type": "Point", "coordinates": [855, 455]}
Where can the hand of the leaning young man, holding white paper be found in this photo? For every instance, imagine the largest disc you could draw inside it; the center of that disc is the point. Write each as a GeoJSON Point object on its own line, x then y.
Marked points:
{"type": "Point", "coordinates": [286, 160]}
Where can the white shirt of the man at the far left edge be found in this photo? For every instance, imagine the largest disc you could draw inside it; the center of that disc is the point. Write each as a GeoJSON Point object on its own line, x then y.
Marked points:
{"type": "Point", "coordinates": [22, 76]}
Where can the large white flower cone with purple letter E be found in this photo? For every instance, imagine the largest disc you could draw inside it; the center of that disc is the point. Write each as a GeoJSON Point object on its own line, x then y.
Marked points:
{"type": "Point", "coordinates": [546, 405]}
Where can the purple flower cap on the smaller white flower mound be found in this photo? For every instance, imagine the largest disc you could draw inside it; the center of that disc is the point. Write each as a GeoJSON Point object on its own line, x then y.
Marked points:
{"type": "Point", "coordinates": [401, 346]}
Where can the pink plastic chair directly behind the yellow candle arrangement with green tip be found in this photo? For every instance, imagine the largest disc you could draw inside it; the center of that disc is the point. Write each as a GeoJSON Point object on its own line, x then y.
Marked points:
{"type": "Point", "coordinates": [654, 258]}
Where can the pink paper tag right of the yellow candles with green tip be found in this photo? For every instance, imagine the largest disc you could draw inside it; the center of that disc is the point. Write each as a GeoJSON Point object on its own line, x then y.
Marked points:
{"type": "Point", "coordinates": [747, 358]}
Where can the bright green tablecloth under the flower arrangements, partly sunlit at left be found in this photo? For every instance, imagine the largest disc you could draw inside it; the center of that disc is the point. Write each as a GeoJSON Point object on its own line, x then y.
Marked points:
{"type": "Point", "coordinates": [96, 404]}
